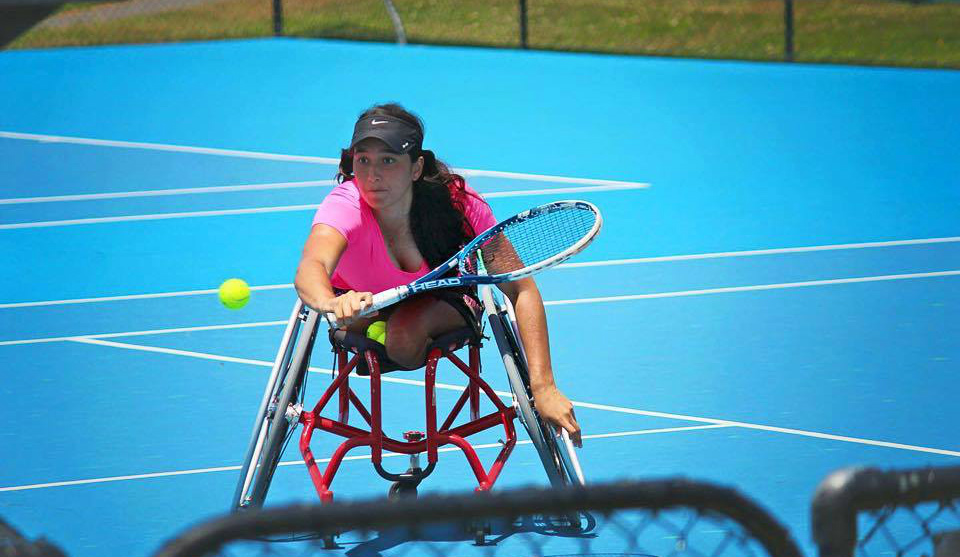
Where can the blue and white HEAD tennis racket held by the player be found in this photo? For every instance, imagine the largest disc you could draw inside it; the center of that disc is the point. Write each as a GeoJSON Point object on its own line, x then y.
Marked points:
{"type": "Point", "coordinates": [527, 243]}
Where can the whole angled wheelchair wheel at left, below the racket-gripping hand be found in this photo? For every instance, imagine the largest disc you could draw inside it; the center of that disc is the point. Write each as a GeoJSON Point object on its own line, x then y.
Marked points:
{"type": "Point", "coordinates": [277, 417]}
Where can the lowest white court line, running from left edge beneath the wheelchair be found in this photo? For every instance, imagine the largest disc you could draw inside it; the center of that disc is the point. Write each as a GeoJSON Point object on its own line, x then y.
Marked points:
{"type": "Point", "coordinates": [386, 454]}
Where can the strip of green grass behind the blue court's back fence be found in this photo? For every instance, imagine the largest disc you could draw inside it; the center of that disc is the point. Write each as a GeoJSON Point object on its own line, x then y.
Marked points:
{"type": "Point", "coordinates": [885, 32]}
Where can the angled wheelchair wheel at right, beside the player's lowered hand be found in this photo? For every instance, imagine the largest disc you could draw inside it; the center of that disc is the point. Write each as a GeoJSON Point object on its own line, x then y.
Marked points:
{"type": "Point", "coordinates": [556, 452]}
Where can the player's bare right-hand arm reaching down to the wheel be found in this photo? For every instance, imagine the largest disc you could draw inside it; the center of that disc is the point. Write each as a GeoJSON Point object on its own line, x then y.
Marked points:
{"type": "Point", "coordinates": [552, 405]}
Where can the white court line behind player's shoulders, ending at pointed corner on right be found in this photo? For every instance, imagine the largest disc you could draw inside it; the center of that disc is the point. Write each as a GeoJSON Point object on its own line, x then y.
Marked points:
{"type": "Point", "coordinates": [278, 209]}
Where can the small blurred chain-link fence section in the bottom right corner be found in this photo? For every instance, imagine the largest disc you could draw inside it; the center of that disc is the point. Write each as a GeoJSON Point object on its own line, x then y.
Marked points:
{"type": "Point", "coordinates": [873, 513]}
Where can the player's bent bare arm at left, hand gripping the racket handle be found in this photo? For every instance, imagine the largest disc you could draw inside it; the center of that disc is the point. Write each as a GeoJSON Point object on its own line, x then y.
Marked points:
{"type": "Point", "coordinates": [321, 253]}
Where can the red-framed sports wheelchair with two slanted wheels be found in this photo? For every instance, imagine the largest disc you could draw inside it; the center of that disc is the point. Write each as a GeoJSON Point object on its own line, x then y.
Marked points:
{"type": "Point", "coordinates": [282, 409]}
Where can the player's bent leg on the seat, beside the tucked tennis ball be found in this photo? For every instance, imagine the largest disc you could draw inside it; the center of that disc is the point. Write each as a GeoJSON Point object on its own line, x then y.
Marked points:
{"type": "Point", "coordinates": [414, 324]}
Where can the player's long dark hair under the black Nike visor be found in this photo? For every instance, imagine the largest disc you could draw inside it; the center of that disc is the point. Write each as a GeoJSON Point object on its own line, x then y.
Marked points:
{"type": "Point", "coordinates": [437, 218]}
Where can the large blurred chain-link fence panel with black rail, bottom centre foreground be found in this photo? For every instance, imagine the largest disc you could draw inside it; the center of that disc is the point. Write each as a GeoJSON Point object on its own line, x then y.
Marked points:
{"type": "Point", "coordinates": [670, 517]}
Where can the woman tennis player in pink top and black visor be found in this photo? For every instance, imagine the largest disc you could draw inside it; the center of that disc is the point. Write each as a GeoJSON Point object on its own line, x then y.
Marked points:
{"type": "Point", "coordinates": [397, 213]}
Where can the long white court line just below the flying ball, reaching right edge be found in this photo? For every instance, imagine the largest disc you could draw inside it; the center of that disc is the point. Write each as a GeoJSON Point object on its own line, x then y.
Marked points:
{"type": "Point", "coordinates": [629, 297]}
